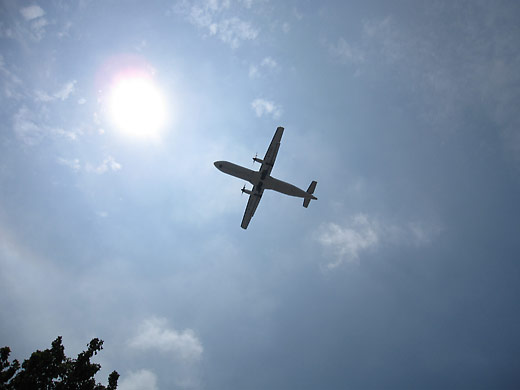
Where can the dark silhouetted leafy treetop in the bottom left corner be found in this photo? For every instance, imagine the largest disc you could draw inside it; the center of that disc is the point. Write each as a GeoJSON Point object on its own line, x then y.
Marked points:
{"type": "Point", "coordinates": [52, 370]}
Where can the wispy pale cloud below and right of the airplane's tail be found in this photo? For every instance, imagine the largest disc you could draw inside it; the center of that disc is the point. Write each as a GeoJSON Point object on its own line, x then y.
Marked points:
{"type": "Point", "coordinates": [362, 233]}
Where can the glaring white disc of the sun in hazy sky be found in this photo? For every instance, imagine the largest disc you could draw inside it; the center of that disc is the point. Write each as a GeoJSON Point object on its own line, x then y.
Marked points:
{"type": "Point", "coordinates": [137, 107]}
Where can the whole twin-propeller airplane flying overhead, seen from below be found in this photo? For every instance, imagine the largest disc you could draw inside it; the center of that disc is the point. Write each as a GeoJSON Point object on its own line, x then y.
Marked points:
{"type": "Point", "coordinates": [262, 179]}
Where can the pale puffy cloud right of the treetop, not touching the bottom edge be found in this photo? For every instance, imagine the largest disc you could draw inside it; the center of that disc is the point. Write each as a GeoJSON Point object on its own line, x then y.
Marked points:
{"type": "Point", "coordinates": [153, 333]}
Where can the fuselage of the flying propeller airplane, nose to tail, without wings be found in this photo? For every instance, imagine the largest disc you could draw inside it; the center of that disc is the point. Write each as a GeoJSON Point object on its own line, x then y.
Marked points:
{"type": "Point", "coordinates": [262, 180]}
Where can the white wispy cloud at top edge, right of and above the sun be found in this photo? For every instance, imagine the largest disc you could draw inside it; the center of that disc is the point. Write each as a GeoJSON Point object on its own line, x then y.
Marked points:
{"type": "Point", "coordinates": [218, 19]}
